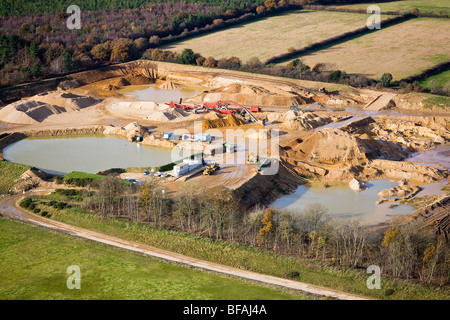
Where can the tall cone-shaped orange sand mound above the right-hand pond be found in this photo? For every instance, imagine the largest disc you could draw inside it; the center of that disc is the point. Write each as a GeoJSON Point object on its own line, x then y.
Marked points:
{"type": "Point", "coordinates": [329, 146]}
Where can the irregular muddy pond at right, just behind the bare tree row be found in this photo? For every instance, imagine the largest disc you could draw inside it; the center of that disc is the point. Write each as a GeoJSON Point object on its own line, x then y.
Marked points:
{"type": "Point", "coordinates": [342, 202]}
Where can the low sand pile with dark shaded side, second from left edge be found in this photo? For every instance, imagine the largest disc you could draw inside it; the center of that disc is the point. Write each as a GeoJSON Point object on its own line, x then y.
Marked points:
{"type": "Point", "coordinates": [66, 100]}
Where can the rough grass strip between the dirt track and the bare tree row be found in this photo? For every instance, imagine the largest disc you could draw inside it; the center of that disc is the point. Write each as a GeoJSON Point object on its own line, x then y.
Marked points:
{"type": "Point", "coordinates": [310, 271]}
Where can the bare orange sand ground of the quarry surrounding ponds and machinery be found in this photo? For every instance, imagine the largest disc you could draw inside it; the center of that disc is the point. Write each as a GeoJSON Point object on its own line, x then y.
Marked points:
{"type": "Point", "coordinates": [325, 143]}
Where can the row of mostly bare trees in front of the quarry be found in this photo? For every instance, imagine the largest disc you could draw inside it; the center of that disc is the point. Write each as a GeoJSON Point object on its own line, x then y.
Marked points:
{"type": "Point", "coordinates": [402, 251]}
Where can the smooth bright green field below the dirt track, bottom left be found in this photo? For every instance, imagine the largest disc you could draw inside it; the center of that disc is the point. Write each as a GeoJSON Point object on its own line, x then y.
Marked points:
{"type": "Point", "coordinates": [34, 261]}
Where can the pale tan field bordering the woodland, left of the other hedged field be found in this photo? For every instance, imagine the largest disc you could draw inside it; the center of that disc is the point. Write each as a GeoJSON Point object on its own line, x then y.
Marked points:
{"type": "Point", "coordinates": [274, 35]}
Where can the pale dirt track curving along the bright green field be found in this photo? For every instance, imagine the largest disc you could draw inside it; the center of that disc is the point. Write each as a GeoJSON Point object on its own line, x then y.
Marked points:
{"type": "Point", "coordinates": [9, 208]}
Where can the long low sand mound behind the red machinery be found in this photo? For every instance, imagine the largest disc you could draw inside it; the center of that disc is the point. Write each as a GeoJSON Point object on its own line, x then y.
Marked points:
{"type": "Point", "coordinates": [249, 94]}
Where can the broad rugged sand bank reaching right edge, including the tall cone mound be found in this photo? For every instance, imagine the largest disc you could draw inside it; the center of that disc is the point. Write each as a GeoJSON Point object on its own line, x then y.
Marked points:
{"type": "Point", "coordinates": [367, 149]}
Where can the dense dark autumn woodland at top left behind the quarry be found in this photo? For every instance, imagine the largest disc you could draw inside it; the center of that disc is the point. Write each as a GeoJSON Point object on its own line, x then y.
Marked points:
{"type": "Point", "coordinates": [40, 45]}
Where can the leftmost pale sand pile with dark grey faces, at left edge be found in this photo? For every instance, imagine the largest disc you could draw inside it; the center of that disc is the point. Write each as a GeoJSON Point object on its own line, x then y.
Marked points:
{"type": "Point", "coordinates": [28, 112]}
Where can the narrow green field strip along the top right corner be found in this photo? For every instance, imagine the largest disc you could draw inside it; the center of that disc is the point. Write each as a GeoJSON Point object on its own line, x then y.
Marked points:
{"type": "Point", "coordinates": [425, 6]}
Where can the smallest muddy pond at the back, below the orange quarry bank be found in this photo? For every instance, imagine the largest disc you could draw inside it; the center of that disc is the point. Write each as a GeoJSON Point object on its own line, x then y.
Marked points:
{"type": "Point", "coordinates": [156, 94]}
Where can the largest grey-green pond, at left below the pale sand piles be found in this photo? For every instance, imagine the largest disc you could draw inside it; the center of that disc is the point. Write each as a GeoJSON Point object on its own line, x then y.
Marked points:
{"type": "Point", "coordinates": [85, 153]}
